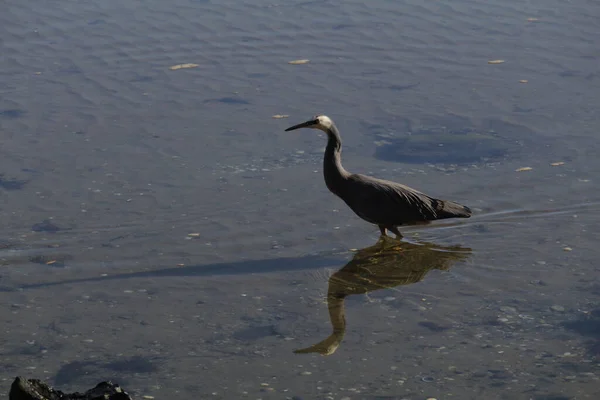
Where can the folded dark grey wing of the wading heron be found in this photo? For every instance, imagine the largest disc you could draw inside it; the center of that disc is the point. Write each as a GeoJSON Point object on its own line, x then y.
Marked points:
{"type": "Point", "coordinates": [385, 202]}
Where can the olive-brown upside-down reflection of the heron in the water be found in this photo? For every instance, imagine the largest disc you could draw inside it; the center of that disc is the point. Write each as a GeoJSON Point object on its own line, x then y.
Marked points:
{"type": "Point", "coordinates": [387, 264]}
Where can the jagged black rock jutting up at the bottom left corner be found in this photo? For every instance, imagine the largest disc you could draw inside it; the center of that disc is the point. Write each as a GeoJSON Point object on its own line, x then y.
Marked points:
{"type": "Point", "coordinates": [34, 389]}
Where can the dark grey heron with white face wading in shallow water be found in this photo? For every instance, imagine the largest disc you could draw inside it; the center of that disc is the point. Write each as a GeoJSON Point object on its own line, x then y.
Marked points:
{"type": "Point", "coordinates": [381, 202]}
